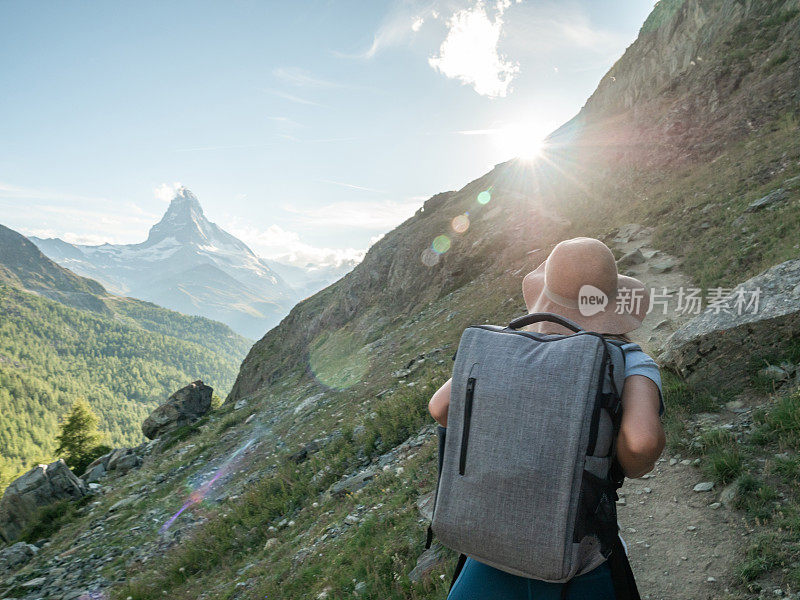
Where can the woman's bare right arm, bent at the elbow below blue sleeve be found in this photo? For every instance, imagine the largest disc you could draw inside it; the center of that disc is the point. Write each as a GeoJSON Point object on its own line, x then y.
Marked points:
{"type": "Point", "coordinates": [641, 436]}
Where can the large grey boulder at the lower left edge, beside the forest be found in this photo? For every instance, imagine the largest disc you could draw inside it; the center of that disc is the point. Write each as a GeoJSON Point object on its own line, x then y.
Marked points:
{"type": "Point", "coordinates": [39, 487]}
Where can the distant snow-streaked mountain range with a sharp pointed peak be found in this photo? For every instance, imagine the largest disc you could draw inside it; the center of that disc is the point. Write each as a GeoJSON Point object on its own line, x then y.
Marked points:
{"type": "Point", "coordinates": [191, 265]}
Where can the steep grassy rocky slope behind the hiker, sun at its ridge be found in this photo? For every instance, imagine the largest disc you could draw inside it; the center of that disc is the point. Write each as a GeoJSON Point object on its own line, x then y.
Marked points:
{"type": "Point", "coordinates": [311, 480]}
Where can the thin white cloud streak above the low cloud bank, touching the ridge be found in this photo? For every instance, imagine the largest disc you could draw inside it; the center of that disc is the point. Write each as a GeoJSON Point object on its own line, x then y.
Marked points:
{"type": "Point", "coordinates": [380, 215]}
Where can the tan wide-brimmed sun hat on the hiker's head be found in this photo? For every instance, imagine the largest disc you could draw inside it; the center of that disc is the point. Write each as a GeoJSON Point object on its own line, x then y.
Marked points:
{"type": "Point", "coordinates": [579, 280]}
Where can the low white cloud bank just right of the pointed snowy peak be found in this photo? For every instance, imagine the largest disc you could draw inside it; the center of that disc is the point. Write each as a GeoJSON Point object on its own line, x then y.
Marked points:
{"type": "Point", "coordinates": [276, 243]}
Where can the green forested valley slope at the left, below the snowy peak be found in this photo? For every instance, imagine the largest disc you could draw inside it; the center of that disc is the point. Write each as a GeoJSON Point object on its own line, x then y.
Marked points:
{"type": "Point", "coordinates": [62, 337]}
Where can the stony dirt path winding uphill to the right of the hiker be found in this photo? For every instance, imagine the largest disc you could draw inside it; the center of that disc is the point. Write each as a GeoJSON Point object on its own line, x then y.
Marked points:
{"type": "Point", "coordinates": [681, 543]}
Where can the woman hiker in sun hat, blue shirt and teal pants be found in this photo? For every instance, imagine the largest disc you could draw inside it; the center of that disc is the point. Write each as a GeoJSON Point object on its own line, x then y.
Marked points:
{"type": "Point", "coordinates": [554, 287]}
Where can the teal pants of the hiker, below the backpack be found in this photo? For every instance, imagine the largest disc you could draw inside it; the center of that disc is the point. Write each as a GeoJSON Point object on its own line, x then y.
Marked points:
{"type": "Point", "coordinates": [478, 581]}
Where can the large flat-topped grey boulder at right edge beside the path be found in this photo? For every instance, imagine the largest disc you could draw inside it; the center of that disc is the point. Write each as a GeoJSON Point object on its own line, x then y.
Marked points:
{"type": "Point", "coordinates": [725, 347]}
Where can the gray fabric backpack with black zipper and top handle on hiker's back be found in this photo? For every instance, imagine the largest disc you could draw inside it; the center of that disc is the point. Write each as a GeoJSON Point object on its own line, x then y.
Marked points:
{"type": "Point", "coordinates": [526, 482]}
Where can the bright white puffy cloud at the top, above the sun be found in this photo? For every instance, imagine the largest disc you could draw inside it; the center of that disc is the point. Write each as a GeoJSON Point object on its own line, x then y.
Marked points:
{"type": "Point", "coordinates": [470, 54]}
